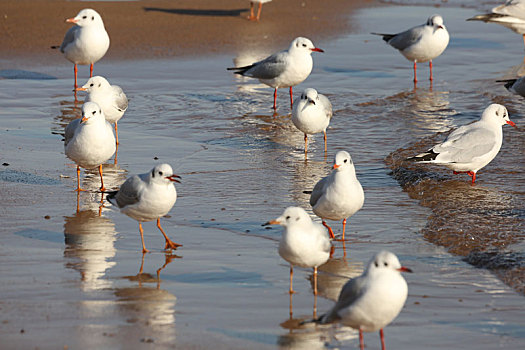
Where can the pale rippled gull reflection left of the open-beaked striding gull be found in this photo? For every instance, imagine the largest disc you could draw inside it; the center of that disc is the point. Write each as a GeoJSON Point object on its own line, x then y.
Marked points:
{"type": "Point", "coordinates": [90, 240]}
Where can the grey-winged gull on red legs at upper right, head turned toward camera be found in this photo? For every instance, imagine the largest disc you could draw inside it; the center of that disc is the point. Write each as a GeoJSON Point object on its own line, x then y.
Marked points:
{"type": "Point", "coordinates": [421, 43]}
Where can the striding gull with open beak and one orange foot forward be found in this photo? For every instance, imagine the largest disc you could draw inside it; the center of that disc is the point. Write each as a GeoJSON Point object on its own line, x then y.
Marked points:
{"type": "Point", "coordinates": [147, 197]}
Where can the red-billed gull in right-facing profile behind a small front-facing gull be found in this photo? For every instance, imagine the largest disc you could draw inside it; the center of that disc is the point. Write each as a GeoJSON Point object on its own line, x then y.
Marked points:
{"type": "Point", "coordinates": [283, 69]}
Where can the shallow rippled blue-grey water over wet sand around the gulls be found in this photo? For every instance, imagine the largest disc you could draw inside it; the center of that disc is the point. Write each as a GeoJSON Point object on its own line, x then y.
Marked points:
{"type": "Point", "coordinates": [71, 278]}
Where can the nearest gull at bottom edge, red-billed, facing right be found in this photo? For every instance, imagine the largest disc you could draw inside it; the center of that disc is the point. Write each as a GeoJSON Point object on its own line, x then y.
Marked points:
{"type": "Point", "coordinates": [371, 301]}
